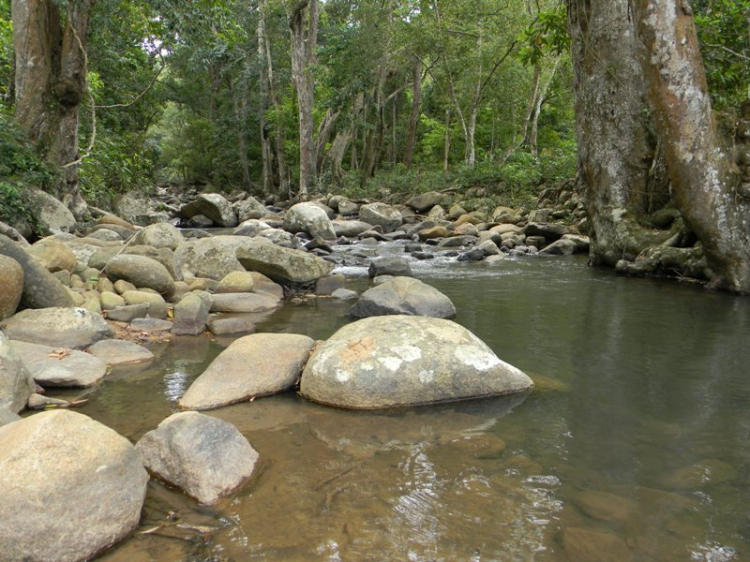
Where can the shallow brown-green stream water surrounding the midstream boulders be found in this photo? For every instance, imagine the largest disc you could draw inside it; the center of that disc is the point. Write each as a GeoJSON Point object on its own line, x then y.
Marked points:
{"type": "Point", "coordinates": [633, 446]}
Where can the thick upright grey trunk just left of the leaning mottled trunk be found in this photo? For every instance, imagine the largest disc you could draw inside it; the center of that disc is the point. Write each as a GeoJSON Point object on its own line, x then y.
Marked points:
{"type": "Point", "coordinates": [616, 150]}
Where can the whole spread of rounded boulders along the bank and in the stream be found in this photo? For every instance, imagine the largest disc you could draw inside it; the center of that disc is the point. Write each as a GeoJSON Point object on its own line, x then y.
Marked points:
{"type": "Point", "coordinates": [74, 305]}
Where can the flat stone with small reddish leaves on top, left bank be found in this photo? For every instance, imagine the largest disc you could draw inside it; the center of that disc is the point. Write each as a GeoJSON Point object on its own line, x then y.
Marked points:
{"type": "Point", "coordinates": [50, 366]}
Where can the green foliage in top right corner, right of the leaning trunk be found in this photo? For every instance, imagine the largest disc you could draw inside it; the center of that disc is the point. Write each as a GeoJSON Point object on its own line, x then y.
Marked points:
{"type": "Point", "coordinates": [725, 40]}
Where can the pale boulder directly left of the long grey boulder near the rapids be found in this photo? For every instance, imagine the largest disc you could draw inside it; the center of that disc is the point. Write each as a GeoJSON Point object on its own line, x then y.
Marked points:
{"type": "Point", "coordinates": [213, 257]}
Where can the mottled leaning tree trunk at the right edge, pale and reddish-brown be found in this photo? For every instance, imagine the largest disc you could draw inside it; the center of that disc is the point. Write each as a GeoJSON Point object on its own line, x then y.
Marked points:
{"type": "Point", "coordinates": [704, 179]}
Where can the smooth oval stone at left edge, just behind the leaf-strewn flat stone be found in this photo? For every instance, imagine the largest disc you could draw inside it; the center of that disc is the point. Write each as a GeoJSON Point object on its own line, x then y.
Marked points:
{"type": "Point", "coordinates": [75, 328]}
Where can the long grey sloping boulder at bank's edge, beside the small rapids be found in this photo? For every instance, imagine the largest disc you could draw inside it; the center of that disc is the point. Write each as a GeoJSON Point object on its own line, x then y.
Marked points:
{"type": "Point", "coordinates": [282, 265]}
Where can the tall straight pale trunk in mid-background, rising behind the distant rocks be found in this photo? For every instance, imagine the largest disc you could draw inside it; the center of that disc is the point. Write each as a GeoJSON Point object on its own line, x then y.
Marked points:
{"type": "Point", "coordinates": [303, 25]}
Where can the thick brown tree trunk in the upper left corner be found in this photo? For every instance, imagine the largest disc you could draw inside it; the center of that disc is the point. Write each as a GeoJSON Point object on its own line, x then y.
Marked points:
{"type": "Point", "coordinates": [50, 79]}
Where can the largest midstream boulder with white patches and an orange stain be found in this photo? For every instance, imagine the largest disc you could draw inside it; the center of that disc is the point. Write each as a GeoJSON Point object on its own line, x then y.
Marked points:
{"type": "Point", "coordinates": [384, 362]}
